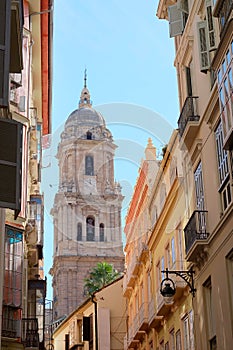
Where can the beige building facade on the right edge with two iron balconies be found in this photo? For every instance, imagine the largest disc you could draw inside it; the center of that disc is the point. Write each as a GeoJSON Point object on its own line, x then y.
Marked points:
{"type": "Point", "coordinates": [203, 35]}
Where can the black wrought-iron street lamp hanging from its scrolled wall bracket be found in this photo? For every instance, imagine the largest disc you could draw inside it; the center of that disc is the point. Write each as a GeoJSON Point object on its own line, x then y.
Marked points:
{"type": "Point", "coordinates": [168, 288]}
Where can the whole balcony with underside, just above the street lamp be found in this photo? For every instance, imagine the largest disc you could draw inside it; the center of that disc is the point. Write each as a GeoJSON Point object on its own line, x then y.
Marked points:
{"type": "Point", "coordinates": [196, 234]}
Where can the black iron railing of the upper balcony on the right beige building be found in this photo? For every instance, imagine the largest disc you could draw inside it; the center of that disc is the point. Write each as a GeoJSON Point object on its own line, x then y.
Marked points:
{"type": "Point", "coordinates": [188, 113]}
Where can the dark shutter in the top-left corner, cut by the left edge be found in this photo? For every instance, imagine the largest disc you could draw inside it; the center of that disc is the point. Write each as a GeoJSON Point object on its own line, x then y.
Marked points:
{"type": "Point", "coordinates": [5, 20]}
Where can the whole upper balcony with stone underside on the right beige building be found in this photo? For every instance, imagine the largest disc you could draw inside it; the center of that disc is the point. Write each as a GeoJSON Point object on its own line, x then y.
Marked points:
{"type": "Point", "coordinates": [189, 120]}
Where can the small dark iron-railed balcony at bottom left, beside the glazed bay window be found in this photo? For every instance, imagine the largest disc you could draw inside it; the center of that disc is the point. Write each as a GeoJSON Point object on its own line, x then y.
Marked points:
{"type": "Point", "coordinates": [30, 335]}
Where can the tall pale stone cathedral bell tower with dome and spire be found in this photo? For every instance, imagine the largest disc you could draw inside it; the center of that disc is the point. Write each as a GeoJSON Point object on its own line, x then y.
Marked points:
{"type": "Point", "coordinates": [87, 207]}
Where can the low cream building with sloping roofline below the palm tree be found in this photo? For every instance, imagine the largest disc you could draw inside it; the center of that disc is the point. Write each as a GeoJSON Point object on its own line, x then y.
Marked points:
{"type": "Point", "coordinates": [98, 323]}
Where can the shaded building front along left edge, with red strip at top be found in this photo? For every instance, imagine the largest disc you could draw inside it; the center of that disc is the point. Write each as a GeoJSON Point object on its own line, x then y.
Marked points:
{"type": "Point", "coordinates": [25, 107]}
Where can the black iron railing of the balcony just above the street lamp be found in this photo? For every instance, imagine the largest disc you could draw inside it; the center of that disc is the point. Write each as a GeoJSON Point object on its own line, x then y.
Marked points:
{"type": "Point", "coordinates": [196, 229]}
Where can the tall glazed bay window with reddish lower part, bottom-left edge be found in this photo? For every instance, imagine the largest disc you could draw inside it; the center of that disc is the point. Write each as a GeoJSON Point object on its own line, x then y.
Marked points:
{"type": "Point", "coordinates": [12, 289]}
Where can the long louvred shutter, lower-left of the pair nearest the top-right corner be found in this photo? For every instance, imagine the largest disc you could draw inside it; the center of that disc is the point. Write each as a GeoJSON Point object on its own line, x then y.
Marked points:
{"type": "Point", "coordinates": [203, 46]}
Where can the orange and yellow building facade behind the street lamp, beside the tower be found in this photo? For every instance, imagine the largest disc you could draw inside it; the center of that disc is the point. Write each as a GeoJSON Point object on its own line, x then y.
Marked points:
{"type": "Point", "coordinates": [155, 322]}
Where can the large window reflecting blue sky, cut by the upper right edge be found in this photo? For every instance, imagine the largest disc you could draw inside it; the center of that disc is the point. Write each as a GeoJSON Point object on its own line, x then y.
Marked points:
{"type": "Point", "coordinates": [225, 89]}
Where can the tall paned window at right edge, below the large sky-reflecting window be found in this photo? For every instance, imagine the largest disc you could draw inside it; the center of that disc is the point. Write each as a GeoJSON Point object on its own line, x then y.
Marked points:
{"type": "Point", "coordinates": [223, 169]}
